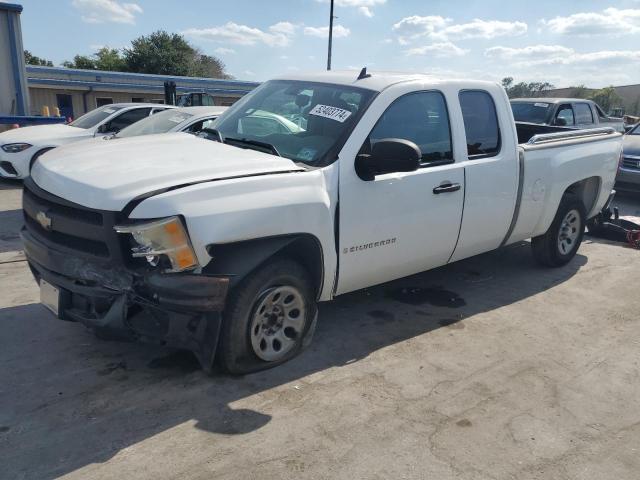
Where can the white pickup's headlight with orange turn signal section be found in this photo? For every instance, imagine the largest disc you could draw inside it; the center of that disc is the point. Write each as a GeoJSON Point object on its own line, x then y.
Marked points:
{"type": "Point", "coordinates": [166, 237]}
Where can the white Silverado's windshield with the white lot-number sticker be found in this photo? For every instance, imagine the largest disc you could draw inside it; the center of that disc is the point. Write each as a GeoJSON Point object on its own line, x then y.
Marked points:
{"type": "Point", "coordinates": [302, 121]}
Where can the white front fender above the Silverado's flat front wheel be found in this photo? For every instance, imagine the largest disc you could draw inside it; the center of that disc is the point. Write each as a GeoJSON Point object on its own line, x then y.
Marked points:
{"type": "Point", "coordinates": [216, 212]}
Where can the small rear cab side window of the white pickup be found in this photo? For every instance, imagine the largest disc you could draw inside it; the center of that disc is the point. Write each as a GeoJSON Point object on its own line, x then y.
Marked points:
{"type": "Point", "coordinates": [480, 123]}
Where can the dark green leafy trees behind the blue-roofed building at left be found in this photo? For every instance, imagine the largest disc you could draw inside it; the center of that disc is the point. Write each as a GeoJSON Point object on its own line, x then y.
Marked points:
{"type": "Point", "coordinates": [159, 53]}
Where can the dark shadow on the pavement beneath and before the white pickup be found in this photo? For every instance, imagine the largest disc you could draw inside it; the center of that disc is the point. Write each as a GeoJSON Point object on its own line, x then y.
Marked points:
{"type": "Point", "coordinates": [69, 400]}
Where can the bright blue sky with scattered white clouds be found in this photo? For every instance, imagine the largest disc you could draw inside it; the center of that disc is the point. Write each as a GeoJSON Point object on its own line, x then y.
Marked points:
{"type": "Point", "coordinates": [564, 42]}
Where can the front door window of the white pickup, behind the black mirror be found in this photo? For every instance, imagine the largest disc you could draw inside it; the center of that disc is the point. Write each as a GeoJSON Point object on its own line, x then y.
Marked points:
{"type": "Point", "coordinates": [421, 118]}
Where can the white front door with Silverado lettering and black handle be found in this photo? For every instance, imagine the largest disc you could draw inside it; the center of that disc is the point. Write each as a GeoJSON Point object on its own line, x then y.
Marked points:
{"type": "Point", "coordinates": [402, 223]}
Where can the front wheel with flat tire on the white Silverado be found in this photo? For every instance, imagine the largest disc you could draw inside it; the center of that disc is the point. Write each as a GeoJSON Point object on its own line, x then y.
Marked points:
{"type": "Point", "coordinates": [252, 341]}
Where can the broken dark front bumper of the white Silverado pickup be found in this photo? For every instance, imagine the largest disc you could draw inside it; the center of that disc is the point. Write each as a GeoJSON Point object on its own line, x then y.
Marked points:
{"type": "Point", "coordinates": [181, 310]}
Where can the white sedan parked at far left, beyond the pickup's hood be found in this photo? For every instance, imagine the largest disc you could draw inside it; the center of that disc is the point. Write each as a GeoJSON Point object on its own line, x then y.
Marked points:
{"type": "Point", "coordinates": [19, 148]}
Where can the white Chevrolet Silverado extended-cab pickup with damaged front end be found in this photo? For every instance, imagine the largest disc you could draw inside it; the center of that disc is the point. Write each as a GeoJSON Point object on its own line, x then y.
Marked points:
{"type": "Point", "coordinates": [227, 246]}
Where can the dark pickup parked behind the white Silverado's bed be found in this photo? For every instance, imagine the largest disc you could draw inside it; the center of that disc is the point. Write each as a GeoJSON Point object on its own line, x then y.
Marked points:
{"type": "Point", "coordinates": [563, 112]}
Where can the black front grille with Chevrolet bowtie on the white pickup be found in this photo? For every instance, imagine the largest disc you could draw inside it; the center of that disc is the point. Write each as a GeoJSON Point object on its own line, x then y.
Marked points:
{"type": "Point", "coordinates": [67, 227]}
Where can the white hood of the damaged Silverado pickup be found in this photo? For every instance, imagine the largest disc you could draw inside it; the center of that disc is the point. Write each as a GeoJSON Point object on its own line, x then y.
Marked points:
{"type": "Point", "coordinates": [107, 175]}
